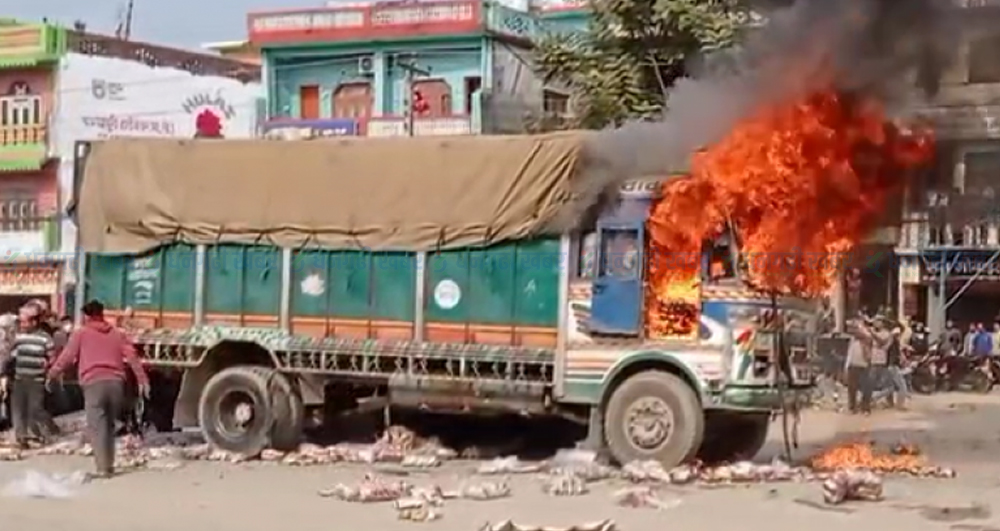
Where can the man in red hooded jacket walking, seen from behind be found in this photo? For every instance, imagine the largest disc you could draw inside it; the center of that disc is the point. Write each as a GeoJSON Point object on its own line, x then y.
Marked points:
{"type": "Point", "coordinates": [101, 351]}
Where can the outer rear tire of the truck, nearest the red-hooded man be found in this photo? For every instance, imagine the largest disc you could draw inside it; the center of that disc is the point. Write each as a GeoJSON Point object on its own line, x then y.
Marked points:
{"type": "Point", "coordinates": [235, 411]}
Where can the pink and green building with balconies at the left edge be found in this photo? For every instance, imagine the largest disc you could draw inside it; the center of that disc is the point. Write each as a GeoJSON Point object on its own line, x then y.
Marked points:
{"type": "Point", "coordinates": [29, 192]}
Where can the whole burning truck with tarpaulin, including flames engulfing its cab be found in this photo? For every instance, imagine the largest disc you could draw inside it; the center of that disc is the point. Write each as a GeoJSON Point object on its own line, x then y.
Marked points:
{"type": "Point", "coordinates": [278, 283]}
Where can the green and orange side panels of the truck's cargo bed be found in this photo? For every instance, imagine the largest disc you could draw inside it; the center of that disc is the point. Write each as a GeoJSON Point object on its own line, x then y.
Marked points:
{"type": "Point", "coordinates": [506, 294]}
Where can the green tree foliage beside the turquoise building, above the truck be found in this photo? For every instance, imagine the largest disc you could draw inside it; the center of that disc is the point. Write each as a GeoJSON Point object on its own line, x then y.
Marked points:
{"type": "Point", "coordinates": [632, 52]}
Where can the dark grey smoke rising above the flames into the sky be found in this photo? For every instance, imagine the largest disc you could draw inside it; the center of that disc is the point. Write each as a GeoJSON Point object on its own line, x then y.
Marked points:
{"type": "Point", "coordinates": [883, 47]}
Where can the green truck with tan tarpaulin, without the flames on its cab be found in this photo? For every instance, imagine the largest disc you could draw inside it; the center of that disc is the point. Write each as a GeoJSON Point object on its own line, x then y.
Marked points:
{"type": "Point", "coordinates": [289, 280]}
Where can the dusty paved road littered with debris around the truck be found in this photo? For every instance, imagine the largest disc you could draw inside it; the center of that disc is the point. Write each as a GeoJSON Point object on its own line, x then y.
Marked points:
{"type": "Point", "coordinates": [956, 430]}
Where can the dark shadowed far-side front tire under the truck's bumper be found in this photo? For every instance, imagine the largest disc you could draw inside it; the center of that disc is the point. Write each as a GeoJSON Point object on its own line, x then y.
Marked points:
{"type": "Point", "coordinates": [735, 438]}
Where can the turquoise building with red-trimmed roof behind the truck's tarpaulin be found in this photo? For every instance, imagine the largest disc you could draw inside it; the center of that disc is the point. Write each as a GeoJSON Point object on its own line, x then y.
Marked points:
{"type": "Point", "coordinates": [442, 67]}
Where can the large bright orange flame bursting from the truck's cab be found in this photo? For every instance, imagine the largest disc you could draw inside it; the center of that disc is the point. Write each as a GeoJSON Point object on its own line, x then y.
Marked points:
{"type": "Point", "coordinates": [800, 183]}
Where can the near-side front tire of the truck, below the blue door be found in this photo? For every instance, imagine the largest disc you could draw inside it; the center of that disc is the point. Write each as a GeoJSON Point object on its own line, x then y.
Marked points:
{"type": "Point", "coordinates": [672, 429]}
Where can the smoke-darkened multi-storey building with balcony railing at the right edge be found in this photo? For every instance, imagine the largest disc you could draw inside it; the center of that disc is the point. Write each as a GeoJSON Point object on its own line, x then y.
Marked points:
{"type": "Point", "coordinates": [950, 240]}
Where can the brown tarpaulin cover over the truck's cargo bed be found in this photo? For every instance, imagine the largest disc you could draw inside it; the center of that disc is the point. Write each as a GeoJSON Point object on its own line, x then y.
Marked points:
{"type": "Point", "coordinates": [380, 194]}
